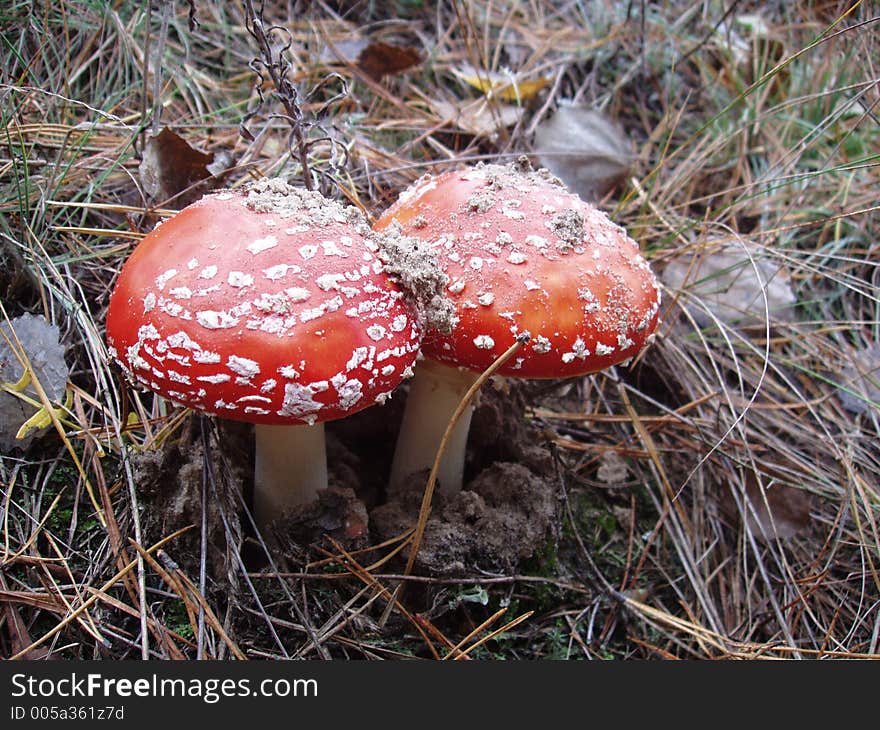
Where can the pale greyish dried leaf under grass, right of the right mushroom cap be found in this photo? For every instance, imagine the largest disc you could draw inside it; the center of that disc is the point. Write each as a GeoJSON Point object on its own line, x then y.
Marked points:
{"type": "Point", "coordinates": [729, 284]}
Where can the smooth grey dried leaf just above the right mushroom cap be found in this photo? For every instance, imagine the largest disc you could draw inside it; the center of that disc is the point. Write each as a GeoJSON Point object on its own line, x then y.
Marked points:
{"type": "Point", "coordinates": [585, 149]}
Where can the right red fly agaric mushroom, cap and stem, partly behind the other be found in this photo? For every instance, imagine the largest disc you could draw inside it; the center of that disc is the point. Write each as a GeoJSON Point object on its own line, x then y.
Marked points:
{"type": "Point", "coordinates": [523, 256]}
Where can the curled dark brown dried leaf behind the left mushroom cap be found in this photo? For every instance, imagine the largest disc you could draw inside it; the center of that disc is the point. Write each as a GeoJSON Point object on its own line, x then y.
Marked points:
{"type": "Point", "coordinates": [170, 165]}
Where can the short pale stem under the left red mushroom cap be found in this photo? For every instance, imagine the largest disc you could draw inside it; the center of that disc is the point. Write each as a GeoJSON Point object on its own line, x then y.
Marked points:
{"type": "Point", "coordinates": [290, 468]}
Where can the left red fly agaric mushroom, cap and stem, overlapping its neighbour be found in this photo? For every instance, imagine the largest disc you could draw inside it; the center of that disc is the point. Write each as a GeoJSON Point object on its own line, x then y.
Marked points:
{"type": "Point", "coordinates": [271, 307]}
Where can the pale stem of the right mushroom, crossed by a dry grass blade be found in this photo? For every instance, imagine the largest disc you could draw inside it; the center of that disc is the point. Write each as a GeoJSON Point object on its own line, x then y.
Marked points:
{"type": "Point", "coordinates": [434, 393]}
